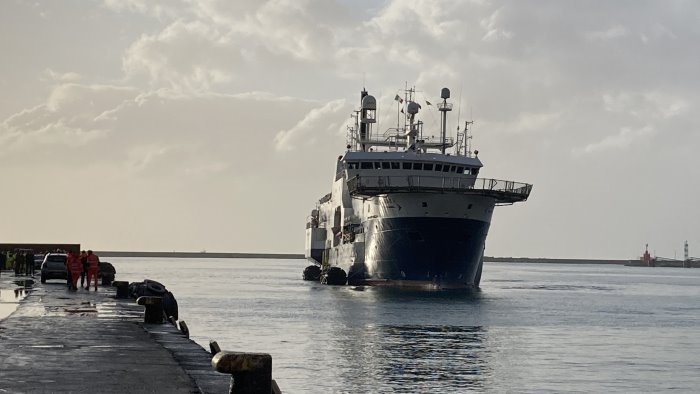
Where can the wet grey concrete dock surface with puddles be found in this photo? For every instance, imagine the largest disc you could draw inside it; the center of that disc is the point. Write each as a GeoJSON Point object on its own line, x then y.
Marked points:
{"type": "Point", "coordinates": [61, 341]}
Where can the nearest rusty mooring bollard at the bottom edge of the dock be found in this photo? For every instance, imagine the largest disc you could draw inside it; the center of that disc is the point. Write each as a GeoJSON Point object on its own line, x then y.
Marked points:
{"type": "Point", "coordinates": [251, 373]}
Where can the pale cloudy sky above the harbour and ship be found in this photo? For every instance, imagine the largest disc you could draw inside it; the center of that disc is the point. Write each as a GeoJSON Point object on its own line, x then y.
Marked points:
{"type": "Point", "coordinates": [215, 125]}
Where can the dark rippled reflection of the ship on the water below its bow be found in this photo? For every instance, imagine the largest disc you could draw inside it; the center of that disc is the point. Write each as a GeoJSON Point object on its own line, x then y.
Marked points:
{"type": "Point", "coordinates": [377, 352]}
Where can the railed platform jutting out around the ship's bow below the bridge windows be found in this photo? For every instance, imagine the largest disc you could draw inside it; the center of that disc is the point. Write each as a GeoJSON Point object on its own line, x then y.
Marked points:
{"type": "Point", "coordinates": [505, 192]}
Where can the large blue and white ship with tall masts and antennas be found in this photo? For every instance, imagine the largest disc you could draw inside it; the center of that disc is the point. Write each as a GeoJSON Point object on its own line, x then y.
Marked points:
{"type": "Point", "coordinates": [406, 206]}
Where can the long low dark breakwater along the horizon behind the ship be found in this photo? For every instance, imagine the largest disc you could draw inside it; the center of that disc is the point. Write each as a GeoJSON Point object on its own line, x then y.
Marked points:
{"type": "Point", "coordinates": [226, 255]}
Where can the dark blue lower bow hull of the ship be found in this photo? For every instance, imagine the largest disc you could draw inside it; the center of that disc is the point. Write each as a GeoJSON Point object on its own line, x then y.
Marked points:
{"type": "Point", "coordinates": [444, 251]}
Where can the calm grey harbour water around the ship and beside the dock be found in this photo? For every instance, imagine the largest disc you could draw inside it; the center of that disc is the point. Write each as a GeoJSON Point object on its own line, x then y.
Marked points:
{"type": "Point", "coordinates": [532, 328]}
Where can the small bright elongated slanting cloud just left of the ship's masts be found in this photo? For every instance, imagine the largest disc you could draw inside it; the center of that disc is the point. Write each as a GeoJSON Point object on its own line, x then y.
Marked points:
{"type": "Point", "coordinates": [318, 120]}
